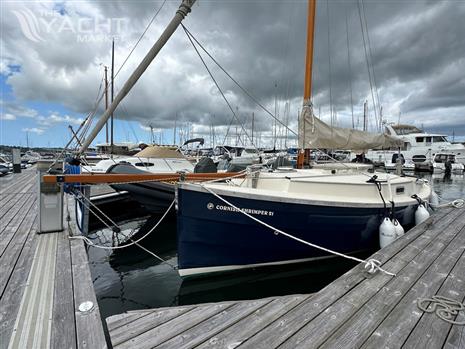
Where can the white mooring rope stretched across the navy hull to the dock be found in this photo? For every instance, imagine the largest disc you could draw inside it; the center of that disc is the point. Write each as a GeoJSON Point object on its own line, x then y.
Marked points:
{"type": "Point", "coordinates": [371, 265]}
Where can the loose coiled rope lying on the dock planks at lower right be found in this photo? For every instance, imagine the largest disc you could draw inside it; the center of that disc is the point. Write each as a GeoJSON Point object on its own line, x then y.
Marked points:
{"type": "Point", "coordinates": [445, 308]}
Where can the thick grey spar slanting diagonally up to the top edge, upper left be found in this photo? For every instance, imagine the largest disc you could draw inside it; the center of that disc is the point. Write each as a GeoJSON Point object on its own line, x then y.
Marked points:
{"type": "Point", "coordinates": [181, 13]}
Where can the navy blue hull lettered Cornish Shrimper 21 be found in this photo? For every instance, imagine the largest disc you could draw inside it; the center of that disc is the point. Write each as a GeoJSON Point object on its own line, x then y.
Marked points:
{"type": "Point", "coordinates": [213, 237]}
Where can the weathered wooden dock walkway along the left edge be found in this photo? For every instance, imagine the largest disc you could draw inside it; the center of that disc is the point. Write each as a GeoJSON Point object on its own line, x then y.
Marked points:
{"type": "Point", "coordinates": [44, 277]}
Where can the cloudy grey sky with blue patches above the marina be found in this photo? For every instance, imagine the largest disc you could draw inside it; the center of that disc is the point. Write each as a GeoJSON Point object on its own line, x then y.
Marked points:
{"type": "Point", "coordinates": [407, 57]}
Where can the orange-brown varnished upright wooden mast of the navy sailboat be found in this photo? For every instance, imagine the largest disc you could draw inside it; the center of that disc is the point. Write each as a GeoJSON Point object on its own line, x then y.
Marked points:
{"type": "Point", "coordinates": [307, 109]}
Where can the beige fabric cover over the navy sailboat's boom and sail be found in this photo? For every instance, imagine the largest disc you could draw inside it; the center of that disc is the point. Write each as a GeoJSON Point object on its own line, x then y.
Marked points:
{"type": "Point", "coordinates": [316, 134]}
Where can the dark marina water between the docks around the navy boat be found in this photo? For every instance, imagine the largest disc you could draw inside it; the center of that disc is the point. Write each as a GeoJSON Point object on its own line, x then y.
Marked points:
{"type": "Point", "coordinates": [131, 278]}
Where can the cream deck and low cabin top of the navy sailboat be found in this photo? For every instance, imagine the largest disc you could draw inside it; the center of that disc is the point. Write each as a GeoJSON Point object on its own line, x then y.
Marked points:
{"type": "Point", "coordinates": [320, 187]}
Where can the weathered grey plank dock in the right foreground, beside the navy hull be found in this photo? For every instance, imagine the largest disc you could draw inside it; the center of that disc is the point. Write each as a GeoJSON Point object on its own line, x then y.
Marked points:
{"type": "Point", "coordinates": [356, 310]}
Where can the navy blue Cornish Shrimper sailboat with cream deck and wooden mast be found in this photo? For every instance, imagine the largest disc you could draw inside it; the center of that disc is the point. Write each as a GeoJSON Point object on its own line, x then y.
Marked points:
{"type": "Point", "coordinates": [223, 226]}
